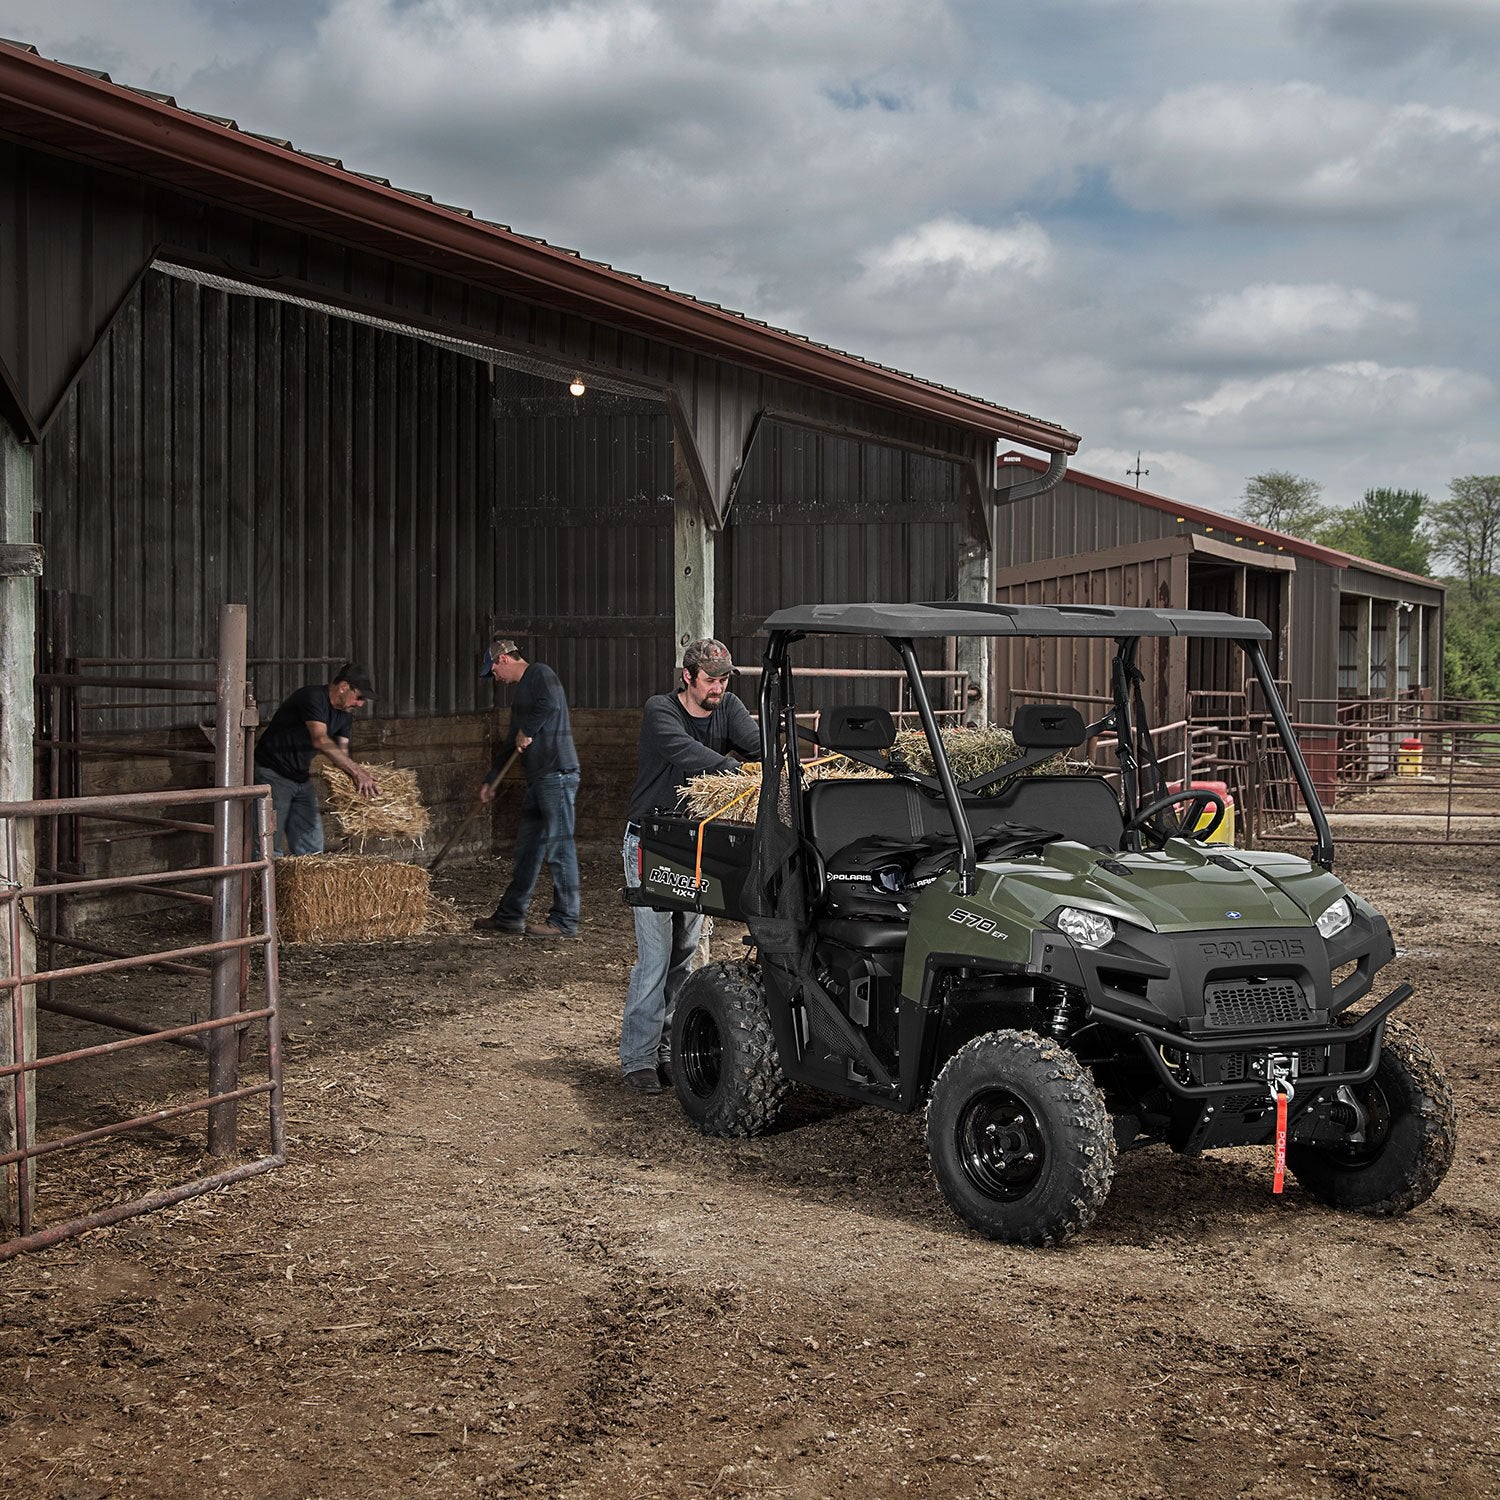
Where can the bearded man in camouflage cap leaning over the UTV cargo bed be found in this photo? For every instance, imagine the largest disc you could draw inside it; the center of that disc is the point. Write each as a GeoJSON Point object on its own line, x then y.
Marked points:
{"type": "Point", "coordinates": [682, 736]}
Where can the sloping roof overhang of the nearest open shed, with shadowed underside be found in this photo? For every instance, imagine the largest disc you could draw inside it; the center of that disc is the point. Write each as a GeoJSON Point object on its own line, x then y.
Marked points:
{"type": "Point", "coordinates": [91, 119]}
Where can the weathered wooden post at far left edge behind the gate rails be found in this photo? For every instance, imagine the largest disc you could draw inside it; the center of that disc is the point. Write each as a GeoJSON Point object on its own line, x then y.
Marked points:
{"type": "Point", "coordinates": [17, 781]}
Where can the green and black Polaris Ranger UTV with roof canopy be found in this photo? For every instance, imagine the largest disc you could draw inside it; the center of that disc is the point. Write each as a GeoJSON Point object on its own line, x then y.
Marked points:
{"type": "Point", "coordinates": [1055, 970]}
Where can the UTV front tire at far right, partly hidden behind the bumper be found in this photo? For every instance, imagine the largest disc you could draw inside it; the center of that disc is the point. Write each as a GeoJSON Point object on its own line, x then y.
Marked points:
{"type": "Point", "coordinates": [1411, 1127]}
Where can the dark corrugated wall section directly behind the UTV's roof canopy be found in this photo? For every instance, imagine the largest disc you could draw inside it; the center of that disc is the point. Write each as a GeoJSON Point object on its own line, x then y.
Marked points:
{"type": "Point", "coordinates": [826, 520]}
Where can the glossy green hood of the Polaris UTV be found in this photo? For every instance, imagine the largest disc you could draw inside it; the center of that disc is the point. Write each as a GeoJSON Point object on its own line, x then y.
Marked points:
{"type": "Point", "coordinates": [1186, 887]}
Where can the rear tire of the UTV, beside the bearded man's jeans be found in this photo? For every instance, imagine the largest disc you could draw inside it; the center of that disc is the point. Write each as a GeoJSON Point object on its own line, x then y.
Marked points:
{"type": "Point", "coordinates": [725, 1067]}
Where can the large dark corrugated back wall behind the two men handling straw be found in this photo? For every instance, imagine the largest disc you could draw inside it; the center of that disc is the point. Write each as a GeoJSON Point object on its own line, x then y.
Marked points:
{"type": "Point", "coordinates": [359, 491]}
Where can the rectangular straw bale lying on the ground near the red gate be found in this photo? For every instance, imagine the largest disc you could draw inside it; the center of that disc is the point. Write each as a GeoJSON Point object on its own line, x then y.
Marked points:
{"type": "Point", "coordinates": [347, 898]}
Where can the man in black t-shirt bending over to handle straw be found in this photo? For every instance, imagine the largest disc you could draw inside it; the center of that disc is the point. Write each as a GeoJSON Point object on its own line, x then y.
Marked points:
{"type": "Point", "coordinates": [314, 721]}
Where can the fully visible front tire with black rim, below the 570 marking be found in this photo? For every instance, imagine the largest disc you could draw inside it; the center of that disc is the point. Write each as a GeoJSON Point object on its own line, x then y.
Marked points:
{"type": "Point", "coordinates": [1019, 1139]}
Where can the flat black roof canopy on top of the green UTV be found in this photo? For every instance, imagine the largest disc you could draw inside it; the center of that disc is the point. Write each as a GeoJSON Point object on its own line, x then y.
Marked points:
{"type": "Point", "coordinates": [914, 622]}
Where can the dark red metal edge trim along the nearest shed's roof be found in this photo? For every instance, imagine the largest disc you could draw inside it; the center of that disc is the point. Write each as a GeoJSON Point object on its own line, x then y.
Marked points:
{"type": "Point", "coordinates": [158, 127]}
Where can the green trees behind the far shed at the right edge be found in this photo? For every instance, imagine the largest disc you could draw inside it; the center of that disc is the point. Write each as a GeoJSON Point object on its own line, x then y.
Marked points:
{"type": "Point", "coordinates": [1456, 539]}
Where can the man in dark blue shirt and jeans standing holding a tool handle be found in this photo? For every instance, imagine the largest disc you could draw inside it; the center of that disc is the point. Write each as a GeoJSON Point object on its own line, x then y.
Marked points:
{"type": "Point", "coordinates": [542, 734]}
